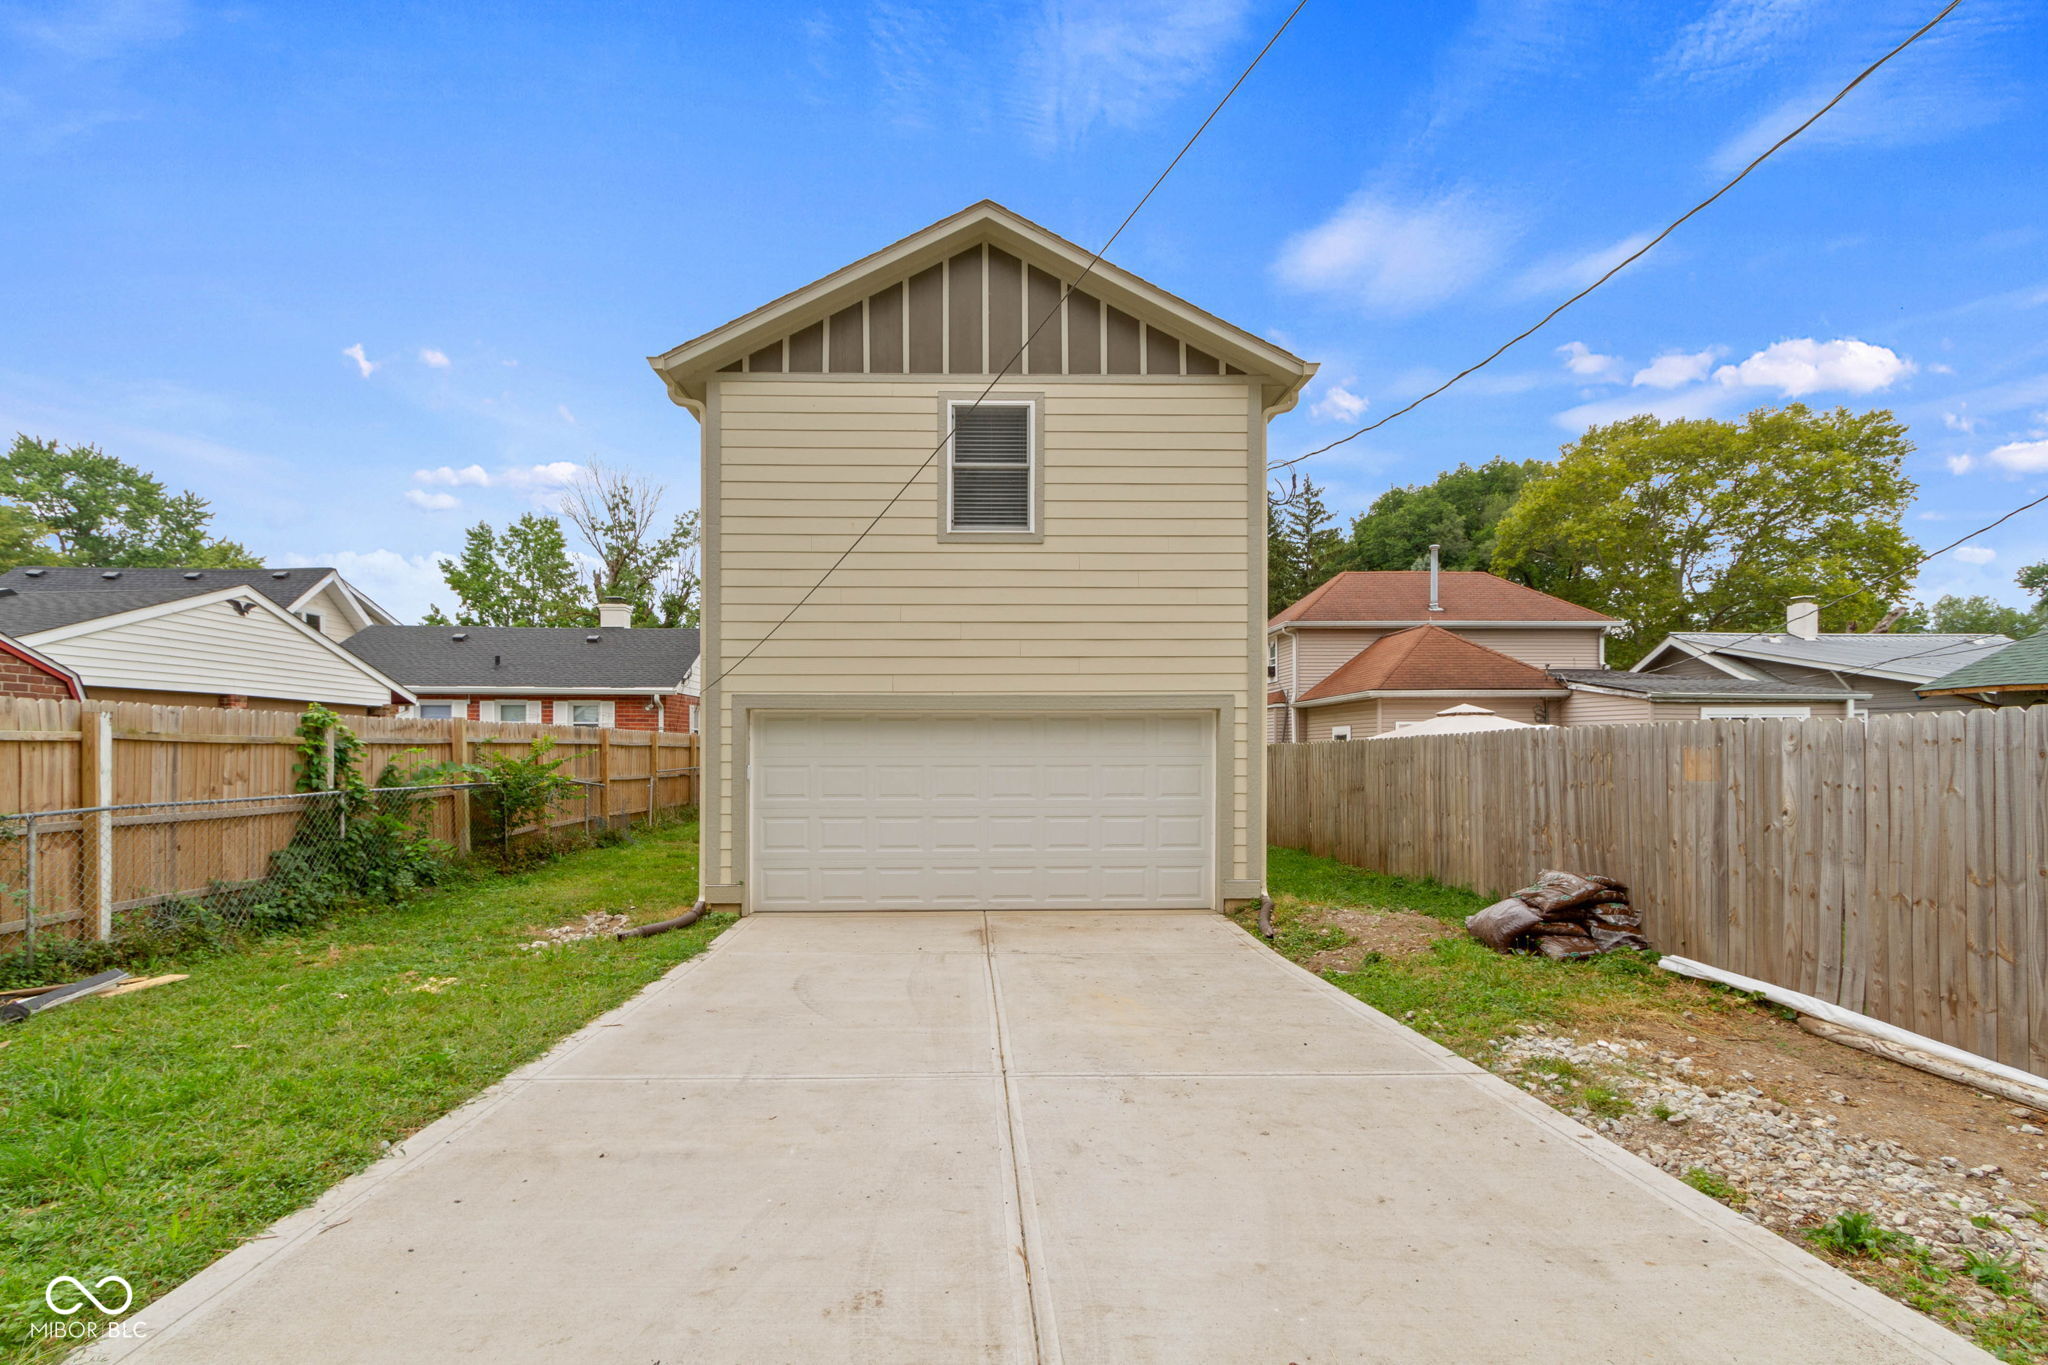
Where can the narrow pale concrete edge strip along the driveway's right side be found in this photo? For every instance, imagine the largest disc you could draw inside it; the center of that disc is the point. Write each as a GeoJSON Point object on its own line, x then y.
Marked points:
{"type": "Point", "coordinates": [1883, 1313]}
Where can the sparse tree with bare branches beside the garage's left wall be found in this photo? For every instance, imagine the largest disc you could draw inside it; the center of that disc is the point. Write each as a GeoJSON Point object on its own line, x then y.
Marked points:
{"type": "Point", "coordinates": [620, 519]}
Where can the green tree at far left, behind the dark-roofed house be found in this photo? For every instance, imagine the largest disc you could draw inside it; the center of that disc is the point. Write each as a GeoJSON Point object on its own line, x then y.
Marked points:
{"type": "Point", "coordinates": [101, 511]}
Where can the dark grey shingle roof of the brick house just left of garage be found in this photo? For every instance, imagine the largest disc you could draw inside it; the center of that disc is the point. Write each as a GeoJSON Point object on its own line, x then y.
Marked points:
{"type": "Point", "coordinates": [425, 658]}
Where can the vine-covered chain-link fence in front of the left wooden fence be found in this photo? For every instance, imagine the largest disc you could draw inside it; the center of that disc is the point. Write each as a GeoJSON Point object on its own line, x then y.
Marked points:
{"type": "Point", "coordinates": [183, 871]}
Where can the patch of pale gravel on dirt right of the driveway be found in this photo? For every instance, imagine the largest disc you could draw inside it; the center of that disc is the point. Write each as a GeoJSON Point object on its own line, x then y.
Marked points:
{"type": "Point", "coordinates": [1795, 1168]}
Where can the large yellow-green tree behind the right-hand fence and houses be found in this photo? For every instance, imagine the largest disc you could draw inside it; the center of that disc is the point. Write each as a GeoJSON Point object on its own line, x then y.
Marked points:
{"type": "Point", "coordinates": [1701, 525]}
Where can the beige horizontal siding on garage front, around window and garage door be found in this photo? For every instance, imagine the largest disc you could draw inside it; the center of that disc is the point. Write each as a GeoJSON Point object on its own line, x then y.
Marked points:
{"type": "Point", "coordinates": [1142, 584]}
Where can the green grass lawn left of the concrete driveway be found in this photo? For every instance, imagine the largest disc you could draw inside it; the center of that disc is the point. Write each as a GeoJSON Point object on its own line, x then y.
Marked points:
{"type": "Point", "coordinates": [148, 1135]}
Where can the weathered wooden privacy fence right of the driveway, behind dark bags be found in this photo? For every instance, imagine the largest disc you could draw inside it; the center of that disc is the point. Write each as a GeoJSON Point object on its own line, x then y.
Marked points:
{"type": "Point", "coordinates": [1895, 867]}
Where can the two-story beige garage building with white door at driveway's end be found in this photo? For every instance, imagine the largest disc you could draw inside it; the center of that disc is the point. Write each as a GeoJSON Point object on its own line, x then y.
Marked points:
{"type": "Point", "coordinates": [1037, 682]}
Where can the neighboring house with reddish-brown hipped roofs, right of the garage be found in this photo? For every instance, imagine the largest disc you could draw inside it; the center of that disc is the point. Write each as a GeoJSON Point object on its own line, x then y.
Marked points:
{"type": "Point", "coordinates": [1371, 652]}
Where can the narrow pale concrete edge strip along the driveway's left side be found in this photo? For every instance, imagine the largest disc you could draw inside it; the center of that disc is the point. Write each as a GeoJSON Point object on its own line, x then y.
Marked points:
{"type": "Point", "coordinates": [288, 1235]}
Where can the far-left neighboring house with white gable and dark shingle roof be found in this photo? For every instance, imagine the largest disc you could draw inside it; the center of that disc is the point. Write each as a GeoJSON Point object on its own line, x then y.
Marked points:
{"type": "Point", "coordinates": [191, 637]}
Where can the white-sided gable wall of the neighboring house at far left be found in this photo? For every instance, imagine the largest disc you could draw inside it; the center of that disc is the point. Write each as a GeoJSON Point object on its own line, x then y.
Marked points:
{"type": "Point", "coordinates": [214, 652]}
